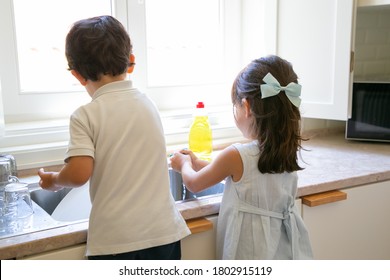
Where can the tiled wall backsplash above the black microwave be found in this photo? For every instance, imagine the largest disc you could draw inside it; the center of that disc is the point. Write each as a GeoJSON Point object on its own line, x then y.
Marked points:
{"type": "Point", "coordinates": [372, 44]}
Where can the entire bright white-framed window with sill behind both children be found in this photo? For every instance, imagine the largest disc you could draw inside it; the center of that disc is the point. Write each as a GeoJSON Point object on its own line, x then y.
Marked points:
{"type": "Point", "coordinates": [186, 51]}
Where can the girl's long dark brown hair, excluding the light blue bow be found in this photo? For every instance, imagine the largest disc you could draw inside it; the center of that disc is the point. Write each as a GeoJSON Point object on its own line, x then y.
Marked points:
{"type": "Point", "coordinates": [276, 119]}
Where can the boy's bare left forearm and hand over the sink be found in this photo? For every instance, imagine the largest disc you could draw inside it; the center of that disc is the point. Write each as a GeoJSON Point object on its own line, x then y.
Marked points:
{"type": "Point", "coordinates": [75, 173]}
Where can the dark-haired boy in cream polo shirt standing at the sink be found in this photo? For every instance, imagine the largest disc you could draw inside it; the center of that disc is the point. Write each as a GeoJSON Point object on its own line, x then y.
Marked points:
{"type": "Point", "coordinates": [117, 143]}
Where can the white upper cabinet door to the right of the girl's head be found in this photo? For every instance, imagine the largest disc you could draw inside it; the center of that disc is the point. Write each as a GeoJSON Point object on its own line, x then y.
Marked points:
{"type": "Point", "coordinates": [315, 36]}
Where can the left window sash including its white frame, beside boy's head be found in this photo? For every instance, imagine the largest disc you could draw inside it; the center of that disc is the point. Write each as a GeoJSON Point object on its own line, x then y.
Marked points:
{"type": "Point", "coordinates": [36, 84]}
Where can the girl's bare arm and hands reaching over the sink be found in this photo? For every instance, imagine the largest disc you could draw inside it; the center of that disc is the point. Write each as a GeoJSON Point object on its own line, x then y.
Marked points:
{"type": "Point", "coordinates": [227, 163]}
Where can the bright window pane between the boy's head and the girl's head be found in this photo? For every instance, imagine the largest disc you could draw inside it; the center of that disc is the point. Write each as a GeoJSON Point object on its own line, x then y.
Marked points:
{"type": "Point", "coordinates": [186, 50]}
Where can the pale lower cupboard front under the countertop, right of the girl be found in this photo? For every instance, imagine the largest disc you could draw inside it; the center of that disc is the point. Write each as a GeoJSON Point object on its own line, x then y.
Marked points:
{"type": "Point", "coordinates": [355, 228]}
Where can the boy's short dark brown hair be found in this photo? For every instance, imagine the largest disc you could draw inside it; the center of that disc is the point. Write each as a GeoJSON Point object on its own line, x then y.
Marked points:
{"type": "Point", "coordinates": [98, 46]}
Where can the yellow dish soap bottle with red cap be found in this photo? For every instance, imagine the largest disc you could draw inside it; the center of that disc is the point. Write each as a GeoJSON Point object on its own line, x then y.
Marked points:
{"type": "Point", "coordinates": [200, 136]}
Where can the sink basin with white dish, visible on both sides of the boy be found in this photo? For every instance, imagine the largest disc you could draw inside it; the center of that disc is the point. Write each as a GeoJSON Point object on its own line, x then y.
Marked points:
{"type": "Point", "coordinates": [74, 204]}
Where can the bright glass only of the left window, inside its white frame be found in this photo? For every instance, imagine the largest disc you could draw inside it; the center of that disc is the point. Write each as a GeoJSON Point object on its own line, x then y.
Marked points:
{"type": "Point", "coordinates": [41, 61]}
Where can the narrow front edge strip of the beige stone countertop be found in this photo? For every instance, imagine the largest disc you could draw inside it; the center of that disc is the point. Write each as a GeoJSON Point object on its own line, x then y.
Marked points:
{"type": "Point", "coordinates": [76, 233]}
